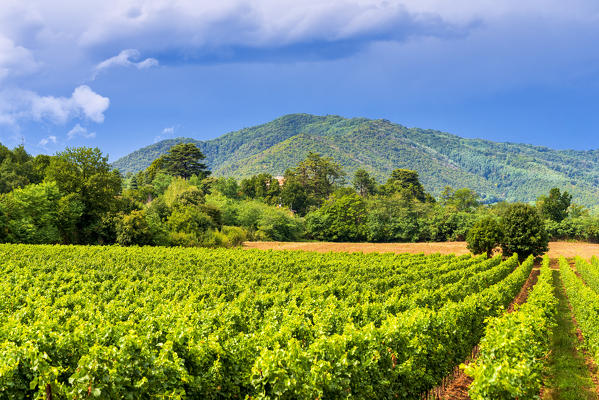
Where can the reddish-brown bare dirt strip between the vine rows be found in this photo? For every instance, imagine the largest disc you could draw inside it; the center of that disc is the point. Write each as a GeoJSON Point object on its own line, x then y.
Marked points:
{"type": "Point", "coordinates": [457, 387]}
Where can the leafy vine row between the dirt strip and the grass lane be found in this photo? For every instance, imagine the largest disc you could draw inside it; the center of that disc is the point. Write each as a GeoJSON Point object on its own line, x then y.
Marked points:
{"type": "Point", "coordinates": [511, 362]}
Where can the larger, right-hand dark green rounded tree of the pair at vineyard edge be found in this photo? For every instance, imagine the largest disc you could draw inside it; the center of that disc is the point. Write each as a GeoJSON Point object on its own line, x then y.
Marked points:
{"type": "Point", "coordinates": [523, 232]}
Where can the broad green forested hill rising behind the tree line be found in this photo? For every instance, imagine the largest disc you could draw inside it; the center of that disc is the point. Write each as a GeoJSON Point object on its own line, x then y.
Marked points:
{"type": "Point", "coordinates": [514, 172]}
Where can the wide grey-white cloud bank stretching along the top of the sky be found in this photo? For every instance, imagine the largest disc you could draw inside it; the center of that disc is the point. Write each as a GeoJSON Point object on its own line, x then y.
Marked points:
{"type": "Point", "coordinates": [176, 31]}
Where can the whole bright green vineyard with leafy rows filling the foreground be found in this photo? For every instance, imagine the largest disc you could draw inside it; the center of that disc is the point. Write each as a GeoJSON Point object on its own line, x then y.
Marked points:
{"type": "Point", "coordinates": [110, 322]}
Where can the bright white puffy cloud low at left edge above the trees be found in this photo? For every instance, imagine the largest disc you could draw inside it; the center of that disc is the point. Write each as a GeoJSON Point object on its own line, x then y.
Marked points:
{"type": "Point", "coordinates": [84, 103]}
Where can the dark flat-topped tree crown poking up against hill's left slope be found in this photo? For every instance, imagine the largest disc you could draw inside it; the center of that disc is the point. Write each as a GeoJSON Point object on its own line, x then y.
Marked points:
{"type": "Point", "coordinates": [184, 160]}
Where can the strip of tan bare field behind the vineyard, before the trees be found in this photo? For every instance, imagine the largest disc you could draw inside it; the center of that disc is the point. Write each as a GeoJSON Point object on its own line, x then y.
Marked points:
{"type": "Point", "coordinates": [556, 249]}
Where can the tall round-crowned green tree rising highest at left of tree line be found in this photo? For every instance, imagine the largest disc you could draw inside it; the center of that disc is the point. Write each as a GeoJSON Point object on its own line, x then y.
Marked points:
{"type": "Point", "coordinates": [86, 172]}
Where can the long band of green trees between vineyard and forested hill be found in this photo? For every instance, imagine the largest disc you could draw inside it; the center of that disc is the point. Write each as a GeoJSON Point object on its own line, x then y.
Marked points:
{"type": "Point", "coordinates": [74, 197]}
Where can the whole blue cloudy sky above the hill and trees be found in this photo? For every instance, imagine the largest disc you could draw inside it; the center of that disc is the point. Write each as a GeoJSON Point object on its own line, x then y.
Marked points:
{"type": "Point", "coordinates": [123, 74]}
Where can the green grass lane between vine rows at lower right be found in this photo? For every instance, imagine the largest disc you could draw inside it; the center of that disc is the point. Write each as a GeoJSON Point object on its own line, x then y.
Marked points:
{"type": "Point", "coordinates": [567, 377]}
